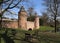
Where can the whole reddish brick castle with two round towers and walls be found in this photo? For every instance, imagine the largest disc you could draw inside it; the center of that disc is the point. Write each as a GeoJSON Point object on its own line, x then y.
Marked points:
{"type": "Point", "coordinates": [22, 22]}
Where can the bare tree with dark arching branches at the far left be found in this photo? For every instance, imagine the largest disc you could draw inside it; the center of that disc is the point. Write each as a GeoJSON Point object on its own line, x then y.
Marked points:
{"type": "Point", "coordinates": [5, 5]}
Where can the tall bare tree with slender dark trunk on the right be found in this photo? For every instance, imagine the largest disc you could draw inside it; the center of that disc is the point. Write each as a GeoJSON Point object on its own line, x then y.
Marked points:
{"type": "Point", "coordinates": [53, 7]}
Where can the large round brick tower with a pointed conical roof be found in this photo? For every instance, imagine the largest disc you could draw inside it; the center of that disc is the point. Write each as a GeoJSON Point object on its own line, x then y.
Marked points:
{"type": "Point", "coordinates": [22, 18]}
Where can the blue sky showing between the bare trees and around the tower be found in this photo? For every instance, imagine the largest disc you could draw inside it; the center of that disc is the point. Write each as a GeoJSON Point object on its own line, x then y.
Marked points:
{"type": "Point", "coordinates": [36, 4]}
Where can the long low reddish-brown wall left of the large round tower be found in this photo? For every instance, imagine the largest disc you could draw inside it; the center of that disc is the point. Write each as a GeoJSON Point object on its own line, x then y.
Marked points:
{"type": "Point", "coordinates": [10, 24]}
